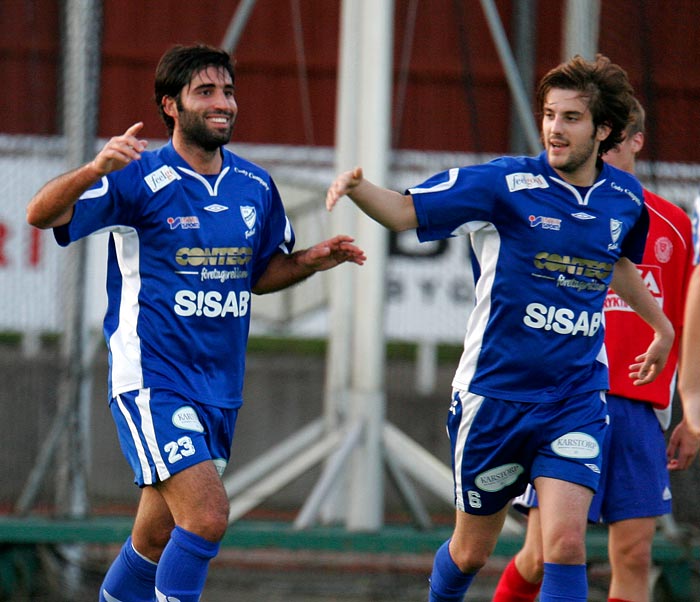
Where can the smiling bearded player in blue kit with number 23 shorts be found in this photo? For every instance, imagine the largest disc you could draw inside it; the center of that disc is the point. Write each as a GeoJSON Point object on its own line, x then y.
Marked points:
{"type": "Point", "coordinates": [195, 230]}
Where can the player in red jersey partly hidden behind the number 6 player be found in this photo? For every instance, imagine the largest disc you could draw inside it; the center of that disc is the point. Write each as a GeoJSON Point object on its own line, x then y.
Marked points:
{"type": "Point", "coordinates": [634, 486]}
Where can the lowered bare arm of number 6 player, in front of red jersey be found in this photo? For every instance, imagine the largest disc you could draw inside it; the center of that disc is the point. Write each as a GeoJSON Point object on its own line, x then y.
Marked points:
{"type": "Point", "coordinates": [628, 284]}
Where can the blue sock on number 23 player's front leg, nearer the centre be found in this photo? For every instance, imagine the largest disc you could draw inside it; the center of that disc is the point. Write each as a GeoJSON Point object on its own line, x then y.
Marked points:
{"type": "Point", "coordinates": [183, 567]}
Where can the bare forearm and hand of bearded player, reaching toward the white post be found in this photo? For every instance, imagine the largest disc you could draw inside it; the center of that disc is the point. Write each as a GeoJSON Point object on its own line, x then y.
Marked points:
{"type": "Point", "coordinates": [286, 270]}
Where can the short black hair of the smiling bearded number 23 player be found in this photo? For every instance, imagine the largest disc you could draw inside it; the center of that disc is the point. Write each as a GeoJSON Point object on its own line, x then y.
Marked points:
{"type": "Point", "coordinates": [177, 67]}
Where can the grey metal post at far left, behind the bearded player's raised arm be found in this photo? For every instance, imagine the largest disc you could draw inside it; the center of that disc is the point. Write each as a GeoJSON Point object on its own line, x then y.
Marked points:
{"type": "Point", "coordinates": [81, 83]}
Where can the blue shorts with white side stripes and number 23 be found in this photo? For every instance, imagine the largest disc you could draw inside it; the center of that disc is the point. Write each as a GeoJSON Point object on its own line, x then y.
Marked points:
{"type": "Point", "coordinates": [162, 432]}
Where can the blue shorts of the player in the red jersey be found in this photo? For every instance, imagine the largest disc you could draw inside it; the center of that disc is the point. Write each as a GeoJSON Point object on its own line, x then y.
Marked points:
{"type": "Point", "coordinates": [634, 482]}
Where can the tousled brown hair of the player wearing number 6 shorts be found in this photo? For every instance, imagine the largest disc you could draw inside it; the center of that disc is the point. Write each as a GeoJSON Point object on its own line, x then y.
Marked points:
{"type": "Point", "coordinates": [610, 94]}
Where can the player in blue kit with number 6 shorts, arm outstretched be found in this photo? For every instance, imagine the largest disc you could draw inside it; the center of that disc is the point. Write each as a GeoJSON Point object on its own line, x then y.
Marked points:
{"type": "Point", "coordinates": [549, 235]}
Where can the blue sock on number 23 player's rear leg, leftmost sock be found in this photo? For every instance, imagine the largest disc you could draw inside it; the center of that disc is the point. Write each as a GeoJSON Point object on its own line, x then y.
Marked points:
{"type": "Point", "coordinates": [131, 578]}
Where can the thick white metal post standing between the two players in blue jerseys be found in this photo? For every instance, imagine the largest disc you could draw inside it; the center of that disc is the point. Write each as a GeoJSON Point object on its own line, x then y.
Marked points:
{"type": "Point", "coordinates": [366, 497]}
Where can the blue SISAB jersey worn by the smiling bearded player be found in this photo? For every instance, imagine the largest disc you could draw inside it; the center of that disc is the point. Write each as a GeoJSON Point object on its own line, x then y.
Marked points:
{"type": "Point", "coordinates": [184, 251]}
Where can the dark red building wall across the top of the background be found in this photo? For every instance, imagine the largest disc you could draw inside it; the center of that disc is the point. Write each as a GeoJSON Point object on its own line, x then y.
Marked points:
{"type": "Point", "coordinates": [455, 97]}
